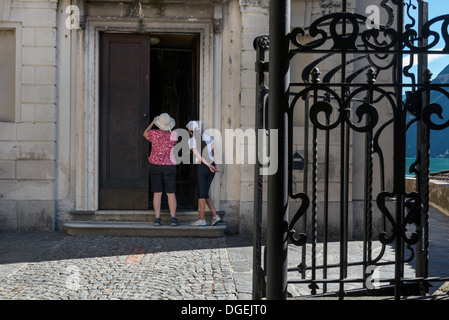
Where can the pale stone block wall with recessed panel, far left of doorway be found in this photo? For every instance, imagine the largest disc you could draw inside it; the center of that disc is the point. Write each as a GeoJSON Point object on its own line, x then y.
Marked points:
{"type": "Point", "coordinates": [27, 142]}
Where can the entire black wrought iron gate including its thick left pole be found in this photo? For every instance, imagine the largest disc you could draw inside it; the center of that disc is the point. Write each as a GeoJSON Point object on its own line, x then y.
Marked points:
{"type": "Point", "coordinates": [352, 116]}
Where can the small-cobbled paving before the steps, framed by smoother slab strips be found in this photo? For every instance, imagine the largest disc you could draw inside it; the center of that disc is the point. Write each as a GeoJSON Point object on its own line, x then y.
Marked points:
{"type": "Point", "coordinates": [126, 268]}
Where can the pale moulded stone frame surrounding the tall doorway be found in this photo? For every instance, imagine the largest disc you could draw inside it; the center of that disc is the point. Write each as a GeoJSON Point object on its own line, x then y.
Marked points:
{"type": "Point", "coordinates": [87, 143]}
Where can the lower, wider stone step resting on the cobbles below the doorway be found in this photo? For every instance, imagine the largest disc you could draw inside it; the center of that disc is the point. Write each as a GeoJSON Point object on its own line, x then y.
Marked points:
{"type": "Point", "coordinates": [142, 229]}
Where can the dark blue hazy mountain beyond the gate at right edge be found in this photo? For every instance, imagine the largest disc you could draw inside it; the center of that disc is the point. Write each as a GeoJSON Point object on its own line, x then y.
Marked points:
{"type": "Point", "coordinates": [439, 139]}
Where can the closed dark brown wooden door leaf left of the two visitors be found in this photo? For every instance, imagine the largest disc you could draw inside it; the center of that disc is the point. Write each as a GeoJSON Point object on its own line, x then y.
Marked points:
{"type": "Point", "coordinates": [124, 115]}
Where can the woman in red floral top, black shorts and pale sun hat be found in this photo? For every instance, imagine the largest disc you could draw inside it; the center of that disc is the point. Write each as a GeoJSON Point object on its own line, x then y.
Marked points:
{"type": "Point", "coordinates": [162, 164]}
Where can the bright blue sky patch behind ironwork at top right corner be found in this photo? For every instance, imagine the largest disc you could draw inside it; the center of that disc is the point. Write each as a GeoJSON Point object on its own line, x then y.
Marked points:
{"type": "Point", "coordinates": [437, 62]}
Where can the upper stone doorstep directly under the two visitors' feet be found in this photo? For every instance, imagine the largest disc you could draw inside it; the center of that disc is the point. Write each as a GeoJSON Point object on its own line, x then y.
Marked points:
{"type": "Point", "coordinates": [136, 215]}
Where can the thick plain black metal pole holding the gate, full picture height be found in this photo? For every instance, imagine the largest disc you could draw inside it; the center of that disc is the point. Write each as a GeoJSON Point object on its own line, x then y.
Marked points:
{"type": "Point", "coordinates": [277, 209]}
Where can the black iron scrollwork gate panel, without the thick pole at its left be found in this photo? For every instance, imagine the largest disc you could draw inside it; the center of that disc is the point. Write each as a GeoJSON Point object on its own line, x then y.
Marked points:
{"type": "Point", "coordinates": [343, 104]}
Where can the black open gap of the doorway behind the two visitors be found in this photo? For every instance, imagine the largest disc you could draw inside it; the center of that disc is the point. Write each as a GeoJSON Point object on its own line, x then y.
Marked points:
{"type": "Point", "coordinates": [174, 89]}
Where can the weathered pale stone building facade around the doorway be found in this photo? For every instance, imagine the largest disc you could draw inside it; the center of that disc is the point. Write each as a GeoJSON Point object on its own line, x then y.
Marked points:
{"type": "Point", "coordinates": [54, 59]}
